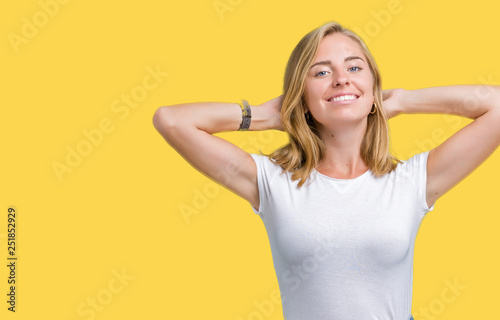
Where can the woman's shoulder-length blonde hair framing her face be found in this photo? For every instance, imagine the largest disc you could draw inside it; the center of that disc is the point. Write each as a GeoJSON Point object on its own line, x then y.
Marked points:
{"type": "Point", "coordinates": [306, 149]}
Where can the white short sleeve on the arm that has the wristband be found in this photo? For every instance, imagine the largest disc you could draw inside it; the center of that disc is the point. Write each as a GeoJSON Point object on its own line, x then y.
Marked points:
{"type": "Point", "coordinates": [265, 173]}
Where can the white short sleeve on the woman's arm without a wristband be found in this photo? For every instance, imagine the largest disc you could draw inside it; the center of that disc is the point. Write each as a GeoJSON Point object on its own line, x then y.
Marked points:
{"type": "Point", "coordinates": [416, 167]}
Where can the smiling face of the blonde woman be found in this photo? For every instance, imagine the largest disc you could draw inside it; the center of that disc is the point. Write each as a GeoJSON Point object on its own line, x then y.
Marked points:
{"type": "Point", "coordinates": [339, 85]}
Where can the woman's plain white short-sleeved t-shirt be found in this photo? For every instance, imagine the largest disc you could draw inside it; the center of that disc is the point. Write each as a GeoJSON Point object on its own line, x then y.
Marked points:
{"type": "Point", "coordinates": [343, 248]}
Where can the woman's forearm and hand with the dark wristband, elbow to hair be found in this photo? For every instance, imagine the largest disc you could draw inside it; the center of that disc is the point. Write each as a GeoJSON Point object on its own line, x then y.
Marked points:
{"type": "Point", "coordinates": [214, 117]}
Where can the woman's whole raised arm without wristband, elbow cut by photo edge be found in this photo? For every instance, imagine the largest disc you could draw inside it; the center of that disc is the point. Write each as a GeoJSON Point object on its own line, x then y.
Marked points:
{"type": "Point", "coordinates": [458, 156]}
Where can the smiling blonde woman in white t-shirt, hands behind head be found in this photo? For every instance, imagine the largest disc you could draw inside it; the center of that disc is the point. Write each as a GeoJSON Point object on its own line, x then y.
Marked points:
{"type": "Point", "coordinates": [340, 211]}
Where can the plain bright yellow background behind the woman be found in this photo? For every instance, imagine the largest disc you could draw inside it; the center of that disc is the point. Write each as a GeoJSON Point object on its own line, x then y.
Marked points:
{"type": "Point", "coordinates": [119, 209]}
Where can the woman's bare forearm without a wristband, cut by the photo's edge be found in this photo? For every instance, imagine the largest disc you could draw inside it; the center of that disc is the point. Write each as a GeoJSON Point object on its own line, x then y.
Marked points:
{"type": "Point", "coordinates": [469, 101]}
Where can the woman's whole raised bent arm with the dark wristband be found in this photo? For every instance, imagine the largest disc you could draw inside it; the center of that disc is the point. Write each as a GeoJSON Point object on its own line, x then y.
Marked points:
{"type": "Point", "coordinates": [189, 129]}
